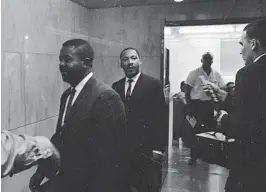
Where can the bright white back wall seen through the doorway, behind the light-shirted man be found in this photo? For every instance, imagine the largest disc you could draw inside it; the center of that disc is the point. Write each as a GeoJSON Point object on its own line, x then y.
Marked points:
{"type": "Point", "coordinates": [221, 40]}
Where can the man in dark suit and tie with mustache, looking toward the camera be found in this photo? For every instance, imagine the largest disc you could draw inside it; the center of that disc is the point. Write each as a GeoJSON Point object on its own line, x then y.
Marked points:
{"type": "Point", "coordinates": [145, 105]}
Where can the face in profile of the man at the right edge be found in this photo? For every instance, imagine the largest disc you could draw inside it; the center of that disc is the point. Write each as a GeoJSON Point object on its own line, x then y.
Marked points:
{"type": "Point", "coordinates": [247, 47]}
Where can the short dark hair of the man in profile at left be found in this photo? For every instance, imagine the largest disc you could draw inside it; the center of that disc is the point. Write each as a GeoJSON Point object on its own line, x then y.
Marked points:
{"type": "Point", "coordinates": [83, 48]}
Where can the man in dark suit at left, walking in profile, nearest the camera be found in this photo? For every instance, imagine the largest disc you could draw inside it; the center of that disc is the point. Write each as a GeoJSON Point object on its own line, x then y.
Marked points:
{"type": "Point", "coordinates": [91, 128]}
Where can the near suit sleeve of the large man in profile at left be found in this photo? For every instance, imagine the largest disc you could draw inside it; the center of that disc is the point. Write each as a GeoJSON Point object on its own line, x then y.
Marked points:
{"type": "Point", "coordinates": [111, 139]}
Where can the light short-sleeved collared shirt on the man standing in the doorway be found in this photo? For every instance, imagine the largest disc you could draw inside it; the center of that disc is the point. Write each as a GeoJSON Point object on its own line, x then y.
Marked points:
{"type": "Point", "coordinates": [195, 82]}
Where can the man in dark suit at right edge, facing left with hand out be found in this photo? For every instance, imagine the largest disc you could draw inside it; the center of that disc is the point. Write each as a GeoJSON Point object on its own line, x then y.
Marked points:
{"type": "Point", "coordinates": [247, 123]}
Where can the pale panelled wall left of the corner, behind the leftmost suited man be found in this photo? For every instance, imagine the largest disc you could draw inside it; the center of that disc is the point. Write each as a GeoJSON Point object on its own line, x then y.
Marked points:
{"type": "Point", "coordinates": [32, 34]}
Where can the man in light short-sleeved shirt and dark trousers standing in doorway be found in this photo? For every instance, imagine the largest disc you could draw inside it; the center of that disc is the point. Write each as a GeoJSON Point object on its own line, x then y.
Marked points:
{"type": "Point", "coordinates": [200, 104]}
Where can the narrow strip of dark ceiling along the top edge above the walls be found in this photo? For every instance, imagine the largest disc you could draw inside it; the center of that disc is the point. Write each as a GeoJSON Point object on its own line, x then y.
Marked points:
{"type": "Point", "coordinates": [98, 4]}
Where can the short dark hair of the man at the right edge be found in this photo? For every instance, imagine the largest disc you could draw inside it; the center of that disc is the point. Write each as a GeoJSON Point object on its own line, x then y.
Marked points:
{"type": "Point", "coordinates": [257, 30]}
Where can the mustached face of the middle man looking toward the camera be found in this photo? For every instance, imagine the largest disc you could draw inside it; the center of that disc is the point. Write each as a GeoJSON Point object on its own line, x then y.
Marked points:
{"type": "Point", "coordinates": [130, 63]}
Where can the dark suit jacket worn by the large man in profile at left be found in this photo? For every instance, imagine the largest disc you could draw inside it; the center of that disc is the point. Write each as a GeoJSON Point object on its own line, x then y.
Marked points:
{"type": "Point", "coordinates": [92, 140]}
